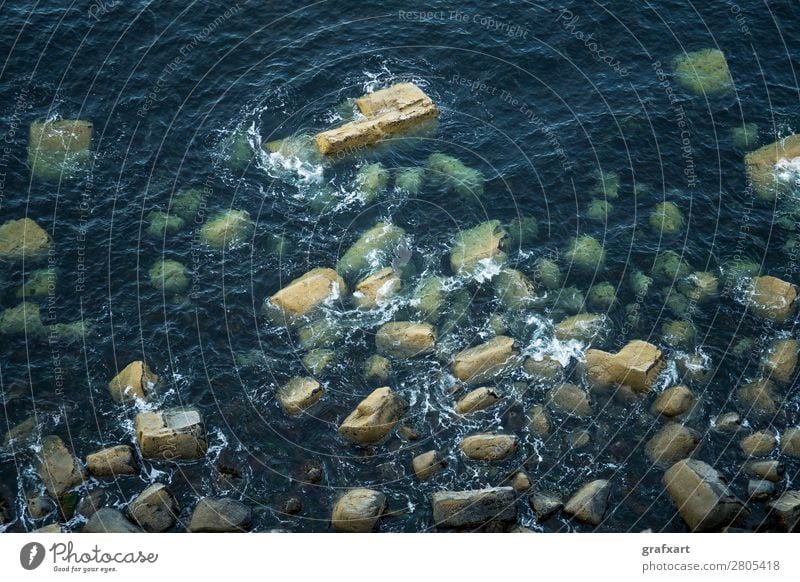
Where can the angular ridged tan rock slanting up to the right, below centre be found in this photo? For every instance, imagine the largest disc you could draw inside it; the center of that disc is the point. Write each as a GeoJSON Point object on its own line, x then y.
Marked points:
{"type": "Point", "coordinates": [374, 417]}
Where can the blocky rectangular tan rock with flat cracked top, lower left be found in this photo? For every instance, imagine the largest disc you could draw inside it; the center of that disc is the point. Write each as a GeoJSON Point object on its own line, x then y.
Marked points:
{"type": "Point", "coordinates": [172, 434]}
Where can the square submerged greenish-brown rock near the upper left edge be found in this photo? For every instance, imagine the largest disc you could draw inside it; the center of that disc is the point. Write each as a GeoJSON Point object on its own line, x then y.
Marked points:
{"type": "Point", "coordinates": [59, 149]}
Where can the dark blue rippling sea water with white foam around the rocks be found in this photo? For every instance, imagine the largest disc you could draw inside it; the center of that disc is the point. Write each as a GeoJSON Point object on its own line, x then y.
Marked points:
{"type": "Point", "coordinates": [524, 97]}
